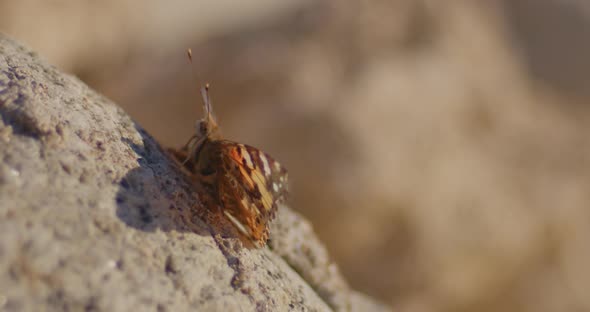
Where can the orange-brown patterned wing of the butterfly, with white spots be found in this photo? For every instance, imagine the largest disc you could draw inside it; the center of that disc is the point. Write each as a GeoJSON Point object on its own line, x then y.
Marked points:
{"type": "Point", "coordinates": [250, 184]}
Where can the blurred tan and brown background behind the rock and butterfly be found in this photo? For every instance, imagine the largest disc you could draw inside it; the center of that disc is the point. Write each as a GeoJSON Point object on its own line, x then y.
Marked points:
{"type": "Point", "coordinates": [440, 148]}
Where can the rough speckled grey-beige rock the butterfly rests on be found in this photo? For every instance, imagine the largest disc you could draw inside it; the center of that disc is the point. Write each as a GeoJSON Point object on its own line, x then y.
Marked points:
{"type": "Point", "coordinates": [95, 216]}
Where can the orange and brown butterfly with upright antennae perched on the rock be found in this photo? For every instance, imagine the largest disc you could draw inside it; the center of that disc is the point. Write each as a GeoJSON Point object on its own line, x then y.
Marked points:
{"type": "Point", "coordinates": [246, 184]}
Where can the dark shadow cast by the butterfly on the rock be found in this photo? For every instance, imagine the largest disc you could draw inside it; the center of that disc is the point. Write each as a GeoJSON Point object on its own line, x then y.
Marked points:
{"type": "Point", "coordinates": [157, 195]}
